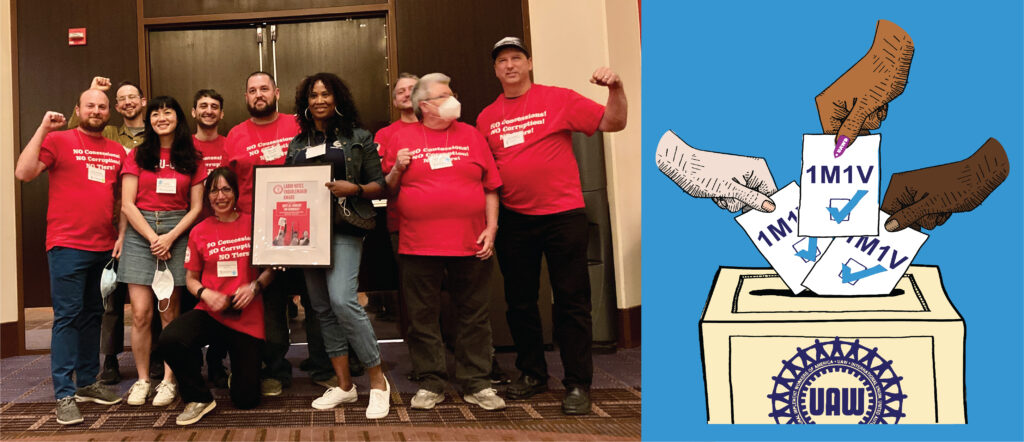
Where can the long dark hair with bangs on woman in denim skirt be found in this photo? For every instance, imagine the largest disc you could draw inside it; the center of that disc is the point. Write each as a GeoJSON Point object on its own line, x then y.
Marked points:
{"type": "Point", "coordinates": [185, 159]}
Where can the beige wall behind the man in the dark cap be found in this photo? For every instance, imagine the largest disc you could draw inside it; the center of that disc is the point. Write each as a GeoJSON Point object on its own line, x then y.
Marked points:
{"type": "Point", "coordinates": [570, 39]}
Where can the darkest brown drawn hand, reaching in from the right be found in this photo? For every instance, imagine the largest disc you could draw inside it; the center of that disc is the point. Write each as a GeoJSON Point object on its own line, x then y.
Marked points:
{"type": "Point", "coordinates": [926, 198]}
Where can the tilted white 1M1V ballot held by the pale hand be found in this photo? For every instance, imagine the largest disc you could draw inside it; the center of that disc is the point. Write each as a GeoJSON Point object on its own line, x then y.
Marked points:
{"type": "Point", "coordinates": [776, 237]}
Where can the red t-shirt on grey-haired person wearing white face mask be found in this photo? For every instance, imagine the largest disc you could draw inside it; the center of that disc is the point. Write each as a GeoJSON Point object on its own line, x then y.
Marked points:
{"type": "Point", "coordinates": [442, 199]}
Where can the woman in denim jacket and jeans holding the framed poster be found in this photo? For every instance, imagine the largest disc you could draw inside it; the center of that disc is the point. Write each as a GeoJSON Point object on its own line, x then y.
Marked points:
{"type": "Point", "coordinates": [331, 134]}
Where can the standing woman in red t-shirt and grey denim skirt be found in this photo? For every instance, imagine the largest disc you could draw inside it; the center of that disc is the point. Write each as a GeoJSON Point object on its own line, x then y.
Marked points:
{"type": "Point", "coordinates": [162, 197]}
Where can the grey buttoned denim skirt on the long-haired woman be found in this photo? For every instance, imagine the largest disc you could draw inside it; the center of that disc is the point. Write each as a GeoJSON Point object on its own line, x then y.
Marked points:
{"type": "Point", "coordinates": [138, 264]}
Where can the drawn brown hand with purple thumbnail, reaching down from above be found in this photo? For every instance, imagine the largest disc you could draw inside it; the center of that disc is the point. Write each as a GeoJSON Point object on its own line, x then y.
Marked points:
{"type": "Point", "coordinates": [859, 101]}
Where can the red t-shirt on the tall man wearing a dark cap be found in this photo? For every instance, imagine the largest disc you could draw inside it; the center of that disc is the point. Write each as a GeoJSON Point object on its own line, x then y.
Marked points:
{"type": "Point", "coordinates": [531, 138]}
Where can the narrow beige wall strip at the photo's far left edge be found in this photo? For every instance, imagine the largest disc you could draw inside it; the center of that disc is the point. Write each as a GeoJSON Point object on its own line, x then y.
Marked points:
{"type": "Point", "coordinates": [9, 252]}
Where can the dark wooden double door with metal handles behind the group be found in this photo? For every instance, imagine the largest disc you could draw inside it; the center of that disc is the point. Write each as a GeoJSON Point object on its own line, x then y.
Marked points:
{"type": "Point", "coordinates": [185, 61]}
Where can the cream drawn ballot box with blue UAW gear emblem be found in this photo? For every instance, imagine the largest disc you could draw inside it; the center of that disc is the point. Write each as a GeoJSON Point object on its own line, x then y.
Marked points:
{"type": "Point", "coordinates": [772, 357]}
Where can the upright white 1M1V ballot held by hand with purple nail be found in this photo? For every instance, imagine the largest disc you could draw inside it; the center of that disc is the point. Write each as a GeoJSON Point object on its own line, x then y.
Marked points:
{"type": "Point", "coordinates": [839, 197]}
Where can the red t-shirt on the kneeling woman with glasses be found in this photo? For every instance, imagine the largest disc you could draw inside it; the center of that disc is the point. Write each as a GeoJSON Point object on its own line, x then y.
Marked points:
{"type": "Point", "coordinates": [218, 246]}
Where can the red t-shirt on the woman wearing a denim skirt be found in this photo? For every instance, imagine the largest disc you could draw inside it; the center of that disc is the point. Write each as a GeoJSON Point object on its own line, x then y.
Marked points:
{"type": "Point", "coordinates": [156, 192]}
